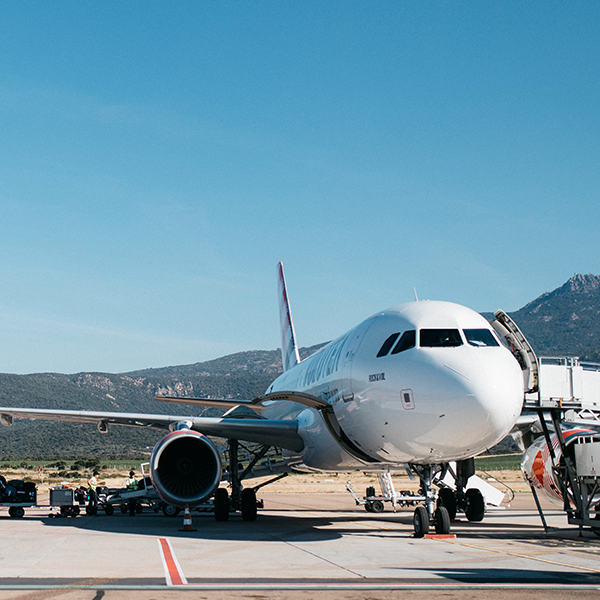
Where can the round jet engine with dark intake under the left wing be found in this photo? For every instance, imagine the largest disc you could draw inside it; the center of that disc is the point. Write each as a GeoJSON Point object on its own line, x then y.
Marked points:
{"type": "Point", "coordinates": [185, 468]}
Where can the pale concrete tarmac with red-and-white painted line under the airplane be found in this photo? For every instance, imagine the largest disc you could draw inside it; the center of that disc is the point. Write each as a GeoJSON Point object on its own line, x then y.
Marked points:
{"type": "Point", "coordinates": [301, 546]}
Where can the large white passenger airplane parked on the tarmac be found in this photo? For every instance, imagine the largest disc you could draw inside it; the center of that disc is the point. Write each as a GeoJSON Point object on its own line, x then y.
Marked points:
{"type": "Point", "coordinates": [416, 387]}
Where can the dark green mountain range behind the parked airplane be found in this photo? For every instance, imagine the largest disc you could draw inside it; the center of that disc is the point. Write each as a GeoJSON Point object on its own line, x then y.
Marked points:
{"type": "Point", "coordinates": [565, 321]}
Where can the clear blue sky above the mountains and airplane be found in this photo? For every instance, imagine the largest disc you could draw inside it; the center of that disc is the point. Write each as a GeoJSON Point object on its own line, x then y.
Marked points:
{"type": "Point", "coordinates": [157, 159]}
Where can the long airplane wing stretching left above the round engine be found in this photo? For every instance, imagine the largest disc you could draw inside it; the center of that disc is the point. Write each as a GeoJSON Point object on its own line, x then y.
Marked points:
{"type": "Point", "coordinates": [280, 433]}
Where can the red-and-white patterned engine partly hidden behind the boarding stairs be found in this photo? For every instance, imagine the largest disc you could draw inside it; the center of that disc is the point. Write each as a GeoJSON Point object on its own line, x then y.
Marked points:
{"type": "Point", "coordinates": [536, 463]}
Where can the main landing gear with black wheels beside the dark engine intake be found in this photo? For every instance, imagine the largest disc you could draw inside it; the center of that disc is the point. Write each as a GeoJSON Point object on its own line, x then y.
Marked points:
{"type": "Point", "coordinates": [241, 499]}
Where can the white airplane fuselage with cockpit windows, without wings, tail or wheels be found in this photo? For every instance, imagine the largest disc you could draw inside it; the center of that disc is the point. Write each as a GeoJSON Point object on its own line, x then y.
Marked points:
{"type": "Point", "coordinates": [446, 392]}
